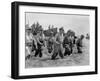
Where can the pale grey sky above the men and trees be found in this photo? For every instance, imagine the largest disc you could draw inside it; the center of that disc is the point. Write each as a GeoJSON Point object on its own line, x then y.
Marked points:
{"type": "Point", "coordinates": [77, 23]}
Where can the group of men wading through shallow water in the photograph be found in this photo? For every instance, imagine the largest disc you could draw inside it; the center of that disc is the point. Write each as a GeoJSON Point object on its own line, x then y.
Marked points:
{"type": "Point", "coordinates": [53, 44]}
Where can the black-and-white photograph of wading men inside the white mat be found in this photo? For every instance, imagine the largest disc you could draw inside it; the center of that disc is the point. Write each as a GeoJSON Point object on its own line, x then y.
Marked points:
{"type": "Point", "coordinates": [54, 40]}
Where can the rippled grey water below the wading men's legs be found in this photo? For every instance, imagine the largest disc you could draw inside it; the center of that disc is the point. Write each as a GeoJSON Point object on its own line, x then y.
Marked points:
{"type": "Point", "coordinates": [75, 59]}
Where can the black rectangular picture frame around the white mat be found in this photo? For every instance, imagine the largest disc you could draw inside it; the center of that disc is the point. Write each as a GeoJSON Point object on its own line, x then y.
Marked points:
{"type": "Point", "coordinates": [15, 39]}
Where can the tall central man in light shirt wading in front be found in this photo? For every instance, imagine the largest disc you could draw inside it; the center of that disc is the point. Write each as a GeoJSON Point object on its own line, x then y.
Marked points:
{"type": "Point", "coordinates": [58, 44]}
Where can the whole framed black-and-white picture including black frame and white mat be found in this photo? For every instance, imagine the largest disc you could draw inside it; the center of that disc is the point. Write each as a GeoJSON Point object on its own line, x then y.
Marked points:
{"type": "Point", "coordinates": [50, 40]}
